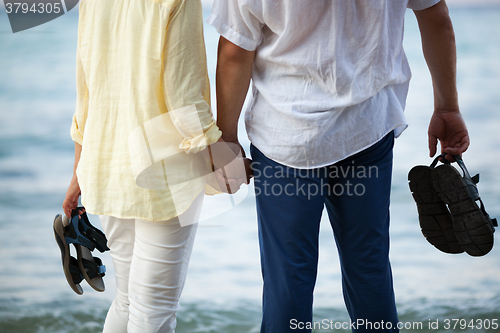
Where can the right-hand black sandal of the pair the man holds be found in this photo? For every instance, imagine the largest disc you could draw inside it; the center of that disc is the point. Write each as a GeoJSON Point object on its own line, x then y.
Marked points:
{"type": "Point", "coordinates": [472, 225]}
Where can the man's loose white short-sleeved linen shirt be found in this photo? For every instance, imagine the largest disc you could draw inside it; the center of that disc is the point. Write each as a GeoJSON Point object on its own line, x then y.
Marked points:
{"type": "Point", "coordinates": [330, 78]}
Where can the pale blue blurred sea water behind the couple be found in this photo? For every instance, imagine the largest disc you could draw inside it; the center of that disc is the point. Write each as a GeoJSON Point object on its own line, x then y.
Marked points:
{"type": "Point", "coordinates": [434, 291]}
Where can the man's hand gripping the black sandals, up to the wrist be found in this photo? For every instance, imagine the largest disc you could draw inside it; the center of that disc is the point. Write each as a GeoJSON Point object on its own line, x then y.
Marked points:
{"type": "Point", "coordinates": [449, 128]}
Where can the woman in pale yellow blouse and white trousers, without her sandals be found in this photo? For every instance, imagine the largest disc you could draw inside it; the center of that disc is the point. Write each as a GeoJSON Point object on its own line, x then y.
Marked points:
{"type": "Point", "coordinates": [143, 108]}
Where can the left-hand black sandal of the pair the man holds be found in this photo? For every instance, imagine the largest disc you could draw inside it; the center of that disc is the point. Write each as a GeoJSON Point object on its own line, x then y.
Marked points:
{"type": "Point", "coordinates": [434, 217]}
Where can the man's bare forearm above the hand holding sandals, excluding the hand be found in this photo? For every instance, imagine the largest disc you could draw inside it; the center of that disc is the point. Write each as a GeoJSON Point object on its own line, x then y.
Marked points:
{"type": "Point", "coordinates": [438, 42]}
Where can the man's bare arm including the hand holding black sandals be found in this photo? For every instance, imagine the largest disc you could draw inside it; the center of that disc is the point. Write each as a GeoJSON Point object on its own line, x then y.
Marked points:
{"type": "Point", "coordinates": [438, 43]}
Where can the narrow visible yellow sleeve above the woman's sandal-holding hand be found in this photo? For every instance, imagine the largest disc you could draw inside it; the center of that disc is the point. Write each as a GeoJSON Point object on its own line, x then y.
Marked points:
{"type": "Point", "coordinates": [82, 97]}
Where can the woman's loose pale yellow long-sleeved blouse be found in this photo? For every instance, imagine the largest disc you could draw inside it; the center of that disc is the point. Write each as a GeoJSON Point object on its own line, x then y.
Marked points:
{"type": "Point", "coordinates": [143, 107]}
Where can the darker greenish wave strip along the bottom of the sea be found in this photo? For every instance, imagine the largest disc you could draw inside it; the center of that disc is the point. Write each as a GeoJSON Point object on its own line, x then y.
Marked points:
{"type": "Point", "coordinates": [421, 315]}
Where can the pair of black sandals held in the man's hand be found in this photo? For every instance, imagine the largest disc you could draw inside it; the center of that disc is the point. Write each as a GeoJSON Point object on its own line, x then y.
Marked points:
{"type": "Point", "coordinates": [451, 213]}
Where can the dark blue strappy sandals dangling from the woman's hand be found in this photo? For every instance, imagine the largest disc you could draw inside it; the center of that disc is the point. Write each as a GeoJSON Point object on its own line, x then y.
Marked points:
{"type": "Point", "coordinates": [85, 238]}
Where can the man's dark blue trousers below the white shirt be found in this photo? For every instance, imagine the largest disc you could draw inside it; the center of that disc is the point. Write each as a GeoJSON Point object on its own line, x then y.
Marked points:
{"type": "Point", "coordinates": [290, 202]}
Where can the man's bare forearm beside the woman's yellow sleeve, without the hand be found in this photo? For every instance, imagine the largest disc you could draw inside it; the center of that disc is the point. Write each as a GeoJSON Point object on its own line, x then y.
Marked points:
{"type": "Point", "coordinates": [234, 71]}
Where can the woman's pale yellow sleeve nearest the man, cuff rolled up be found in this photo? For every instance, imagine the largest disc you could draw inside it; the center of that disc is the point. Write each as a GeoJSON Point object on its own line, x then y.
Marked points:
{"type": "Point", "coordinates": [185, 78]}
